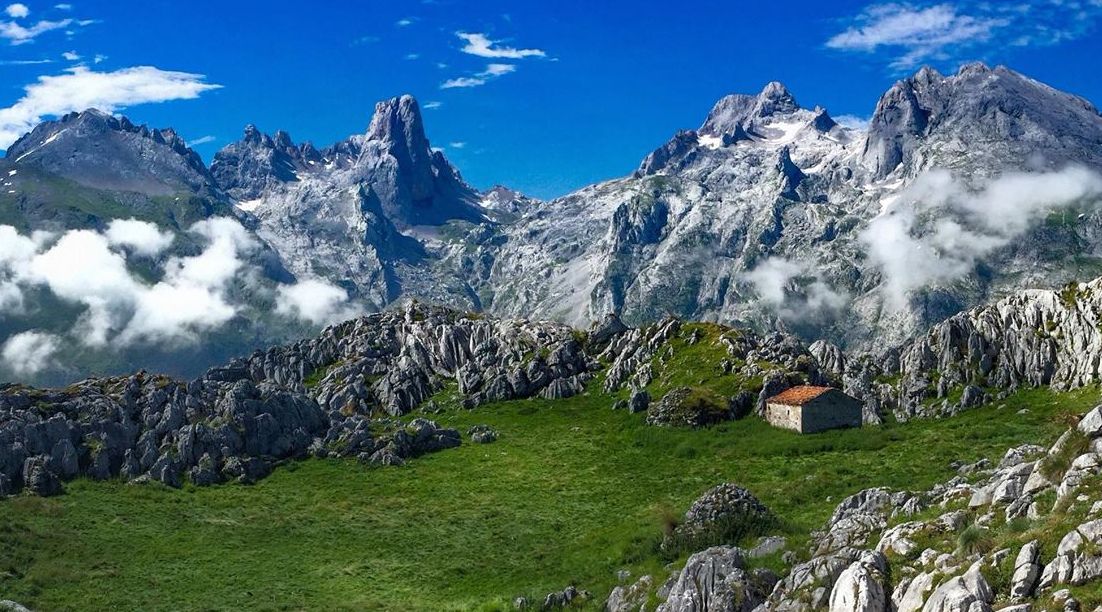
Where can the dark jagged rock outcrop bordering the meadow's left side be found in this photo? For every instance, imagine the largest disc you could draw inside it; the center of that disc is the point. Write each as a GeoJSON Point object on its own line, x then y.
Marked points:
{"type": "Point", "coordinates": [321, 398]}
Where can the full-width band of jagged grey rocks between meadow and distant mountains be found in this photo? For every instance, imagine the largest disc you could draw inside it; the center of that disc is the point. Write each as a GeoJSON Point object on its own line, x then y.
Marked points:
{"type": "Point", "coordinates": [345, 392]}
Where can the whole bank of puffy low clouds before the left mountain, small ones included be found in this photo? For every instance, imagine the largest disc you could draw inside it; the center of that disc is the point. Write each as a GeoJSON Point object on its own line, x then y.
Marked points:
{"type": "Point", "coordinates": [120, 308]}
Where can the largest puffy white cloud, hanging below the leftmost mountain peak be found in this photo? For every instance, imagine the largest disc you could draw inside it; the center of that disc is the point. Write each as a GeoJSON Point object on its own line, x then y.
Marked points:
{"type": "Point", "coordinates": [84, 267]}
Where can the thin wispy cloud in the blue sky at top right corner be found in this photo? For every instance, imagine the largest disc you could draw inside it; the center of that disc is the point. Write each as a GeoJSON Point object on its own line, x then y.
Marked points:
{"type": "Point", "coordinates": [909, 35]}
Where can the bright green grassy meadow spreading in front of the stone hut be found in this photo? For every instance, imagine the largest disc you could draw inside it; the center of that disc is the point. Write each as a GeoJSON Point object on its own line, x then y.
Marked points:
{"type": "Point", "coordinates": [569, 495]}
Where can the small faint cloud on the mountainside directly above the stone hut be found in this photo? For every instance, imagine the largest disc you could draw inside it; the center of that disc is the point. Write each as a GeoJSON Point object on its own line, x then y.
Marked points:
{"type": "Point", "coordinates": [775, 281]}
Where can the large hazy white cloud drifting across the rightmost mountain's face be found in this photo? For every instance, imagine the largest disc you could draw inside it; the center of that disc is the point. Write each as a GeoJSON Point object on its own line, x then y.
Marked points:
{"type": "Point", "coordinates": [939, 228]}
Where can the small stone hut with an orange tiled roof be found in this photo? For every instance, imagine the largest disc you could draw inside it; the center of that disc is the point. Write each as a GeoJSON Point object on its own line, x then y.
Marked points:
{"type": "Point", "coordinates": [809, 410]}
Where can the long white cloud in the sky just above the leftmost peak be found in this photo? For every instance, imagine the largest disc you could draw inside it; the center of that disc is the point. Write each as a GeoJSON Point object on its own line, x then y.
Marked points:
{"type": "Point", "coordinates": [81, 89]}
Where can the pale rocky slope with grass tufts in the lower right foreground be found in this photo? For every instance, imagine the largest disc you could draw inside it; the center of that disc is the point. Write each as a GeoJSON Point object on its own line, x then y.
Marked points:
{"type": "Point", "coordinates": [1020, 535]}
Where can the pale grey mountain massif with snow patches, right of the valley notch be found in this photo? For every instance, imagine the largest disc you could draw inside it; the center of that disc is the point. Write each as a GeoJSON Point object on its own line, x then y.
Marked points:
{"type": "Point", "coordinates": [771, 213]}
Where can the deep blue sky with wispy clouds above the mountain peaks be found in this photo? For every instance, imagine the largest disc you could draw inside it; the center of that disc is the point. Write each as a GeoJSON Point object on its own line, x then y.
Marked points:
{"type": "Point", "coordinates": [545, 98]}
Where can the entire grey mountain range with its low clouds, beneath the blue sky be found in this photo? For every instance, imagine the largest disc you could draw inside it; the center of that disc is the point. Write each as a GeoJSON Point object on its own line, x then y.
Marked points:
{"type": "Point", "coordinates": [963, 189]}
